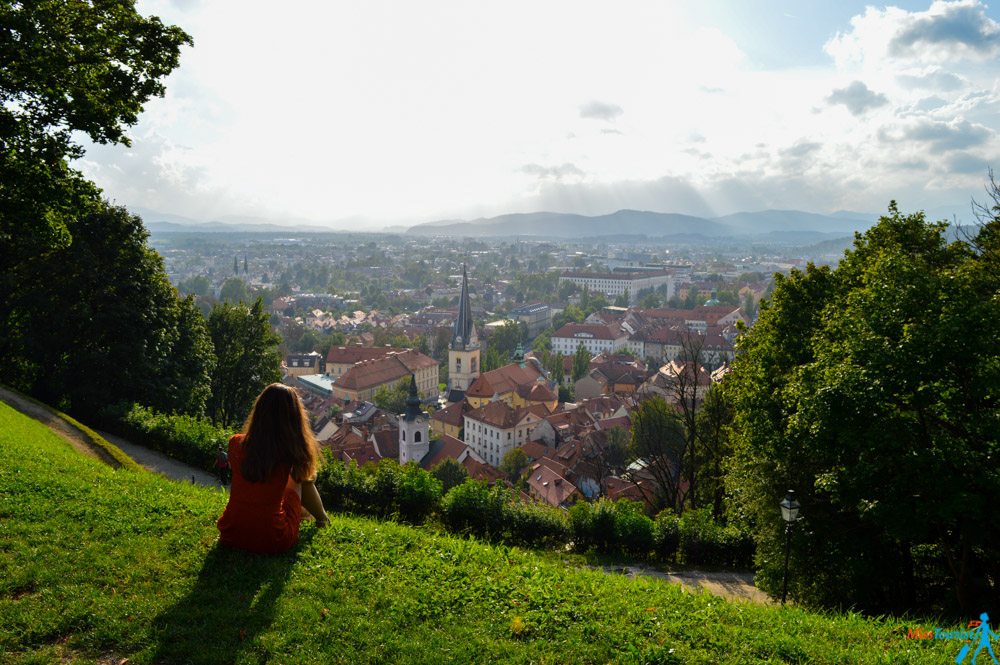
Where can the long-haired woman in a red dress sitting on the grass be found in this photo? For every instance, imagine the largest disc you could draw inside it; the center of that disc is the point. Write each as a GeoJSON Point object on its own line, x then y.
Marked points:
{"type": "Point", "coordinates": [274, 463]}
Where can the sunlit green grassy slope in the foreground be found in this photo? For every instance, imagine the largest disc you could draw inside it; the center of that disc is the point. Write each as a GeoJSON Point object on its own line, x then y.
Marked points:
{"type": "Point", "coordinates": [97, 564]}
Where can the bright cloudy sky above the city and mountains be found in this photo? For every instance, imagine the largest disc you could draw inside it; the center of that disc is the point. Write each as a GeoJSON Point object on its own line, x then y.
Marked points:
{"type": "Point", "coordinates": [367, 114]}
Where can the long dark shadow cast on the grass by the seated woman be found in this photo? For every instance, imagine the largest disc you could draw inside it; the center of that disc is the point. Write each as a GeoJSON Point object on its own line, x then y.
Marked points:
{"type": "Point", "coordinates": [231, 603]}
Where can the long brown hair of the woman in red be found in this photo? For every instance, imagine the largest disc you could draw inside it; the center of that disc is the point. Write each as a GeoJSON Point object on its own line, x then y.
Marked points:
{"type": "Point", "coordinates": [277, 432]}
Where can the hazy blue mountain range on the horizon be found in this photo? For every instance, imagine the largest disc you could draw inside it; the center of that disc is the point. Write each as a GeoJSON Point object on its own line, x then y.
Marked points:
{"type": "Point", "coordinates": [649, 224]}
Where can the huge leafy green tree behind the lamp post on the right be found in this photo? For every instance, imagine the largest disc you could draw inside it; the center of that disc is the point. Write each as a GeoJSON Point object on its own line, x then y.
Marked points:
{"type": "Point", "coordinates": [854, 389]}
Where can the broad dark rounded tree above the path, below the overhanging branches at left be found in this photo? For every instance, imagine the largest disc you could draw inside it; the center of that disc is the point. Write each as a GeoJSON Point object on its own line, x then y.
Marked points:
{"type": "Point", "coordinates": [107, 326]}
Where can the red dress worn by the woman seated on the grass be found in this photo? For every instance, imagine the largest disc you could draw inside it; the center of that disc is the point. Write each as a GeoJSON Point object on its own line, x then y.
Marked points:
{"type": "Point", "coordinates": [260, 517]}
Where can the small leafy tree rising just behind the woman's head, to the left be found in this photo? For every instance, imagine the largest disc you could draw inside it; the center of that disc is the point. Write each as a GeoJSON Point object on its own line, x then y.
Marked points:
{"type": "Point", "coordinates": [247, 359]}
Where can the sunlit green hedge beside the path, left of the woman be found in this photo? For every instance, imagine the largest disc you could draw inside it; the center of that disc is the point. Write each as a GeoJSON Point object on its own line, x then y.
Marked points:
{"type": "Point", "coordinates": [185, 438]}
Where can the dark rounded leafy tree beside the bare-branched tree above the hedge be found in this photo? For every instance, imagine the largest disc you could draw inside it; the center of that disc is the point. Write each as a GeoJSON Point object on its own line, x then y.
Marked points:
{"type": "Point", "coordinates": [658, 446]}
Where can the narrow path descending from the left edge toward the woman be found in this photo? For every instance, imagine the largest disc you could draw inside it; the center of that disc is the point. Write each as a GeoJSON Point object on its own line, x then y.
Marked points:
{"type": "Point", "coordinates": [149, 459]}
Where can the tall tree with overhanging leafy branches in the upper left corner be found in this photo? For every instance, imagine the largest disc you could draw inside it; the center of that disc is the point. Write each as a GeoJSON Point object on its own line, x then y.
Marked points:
{"type": "Point", "coordinates": [65, 67]}
